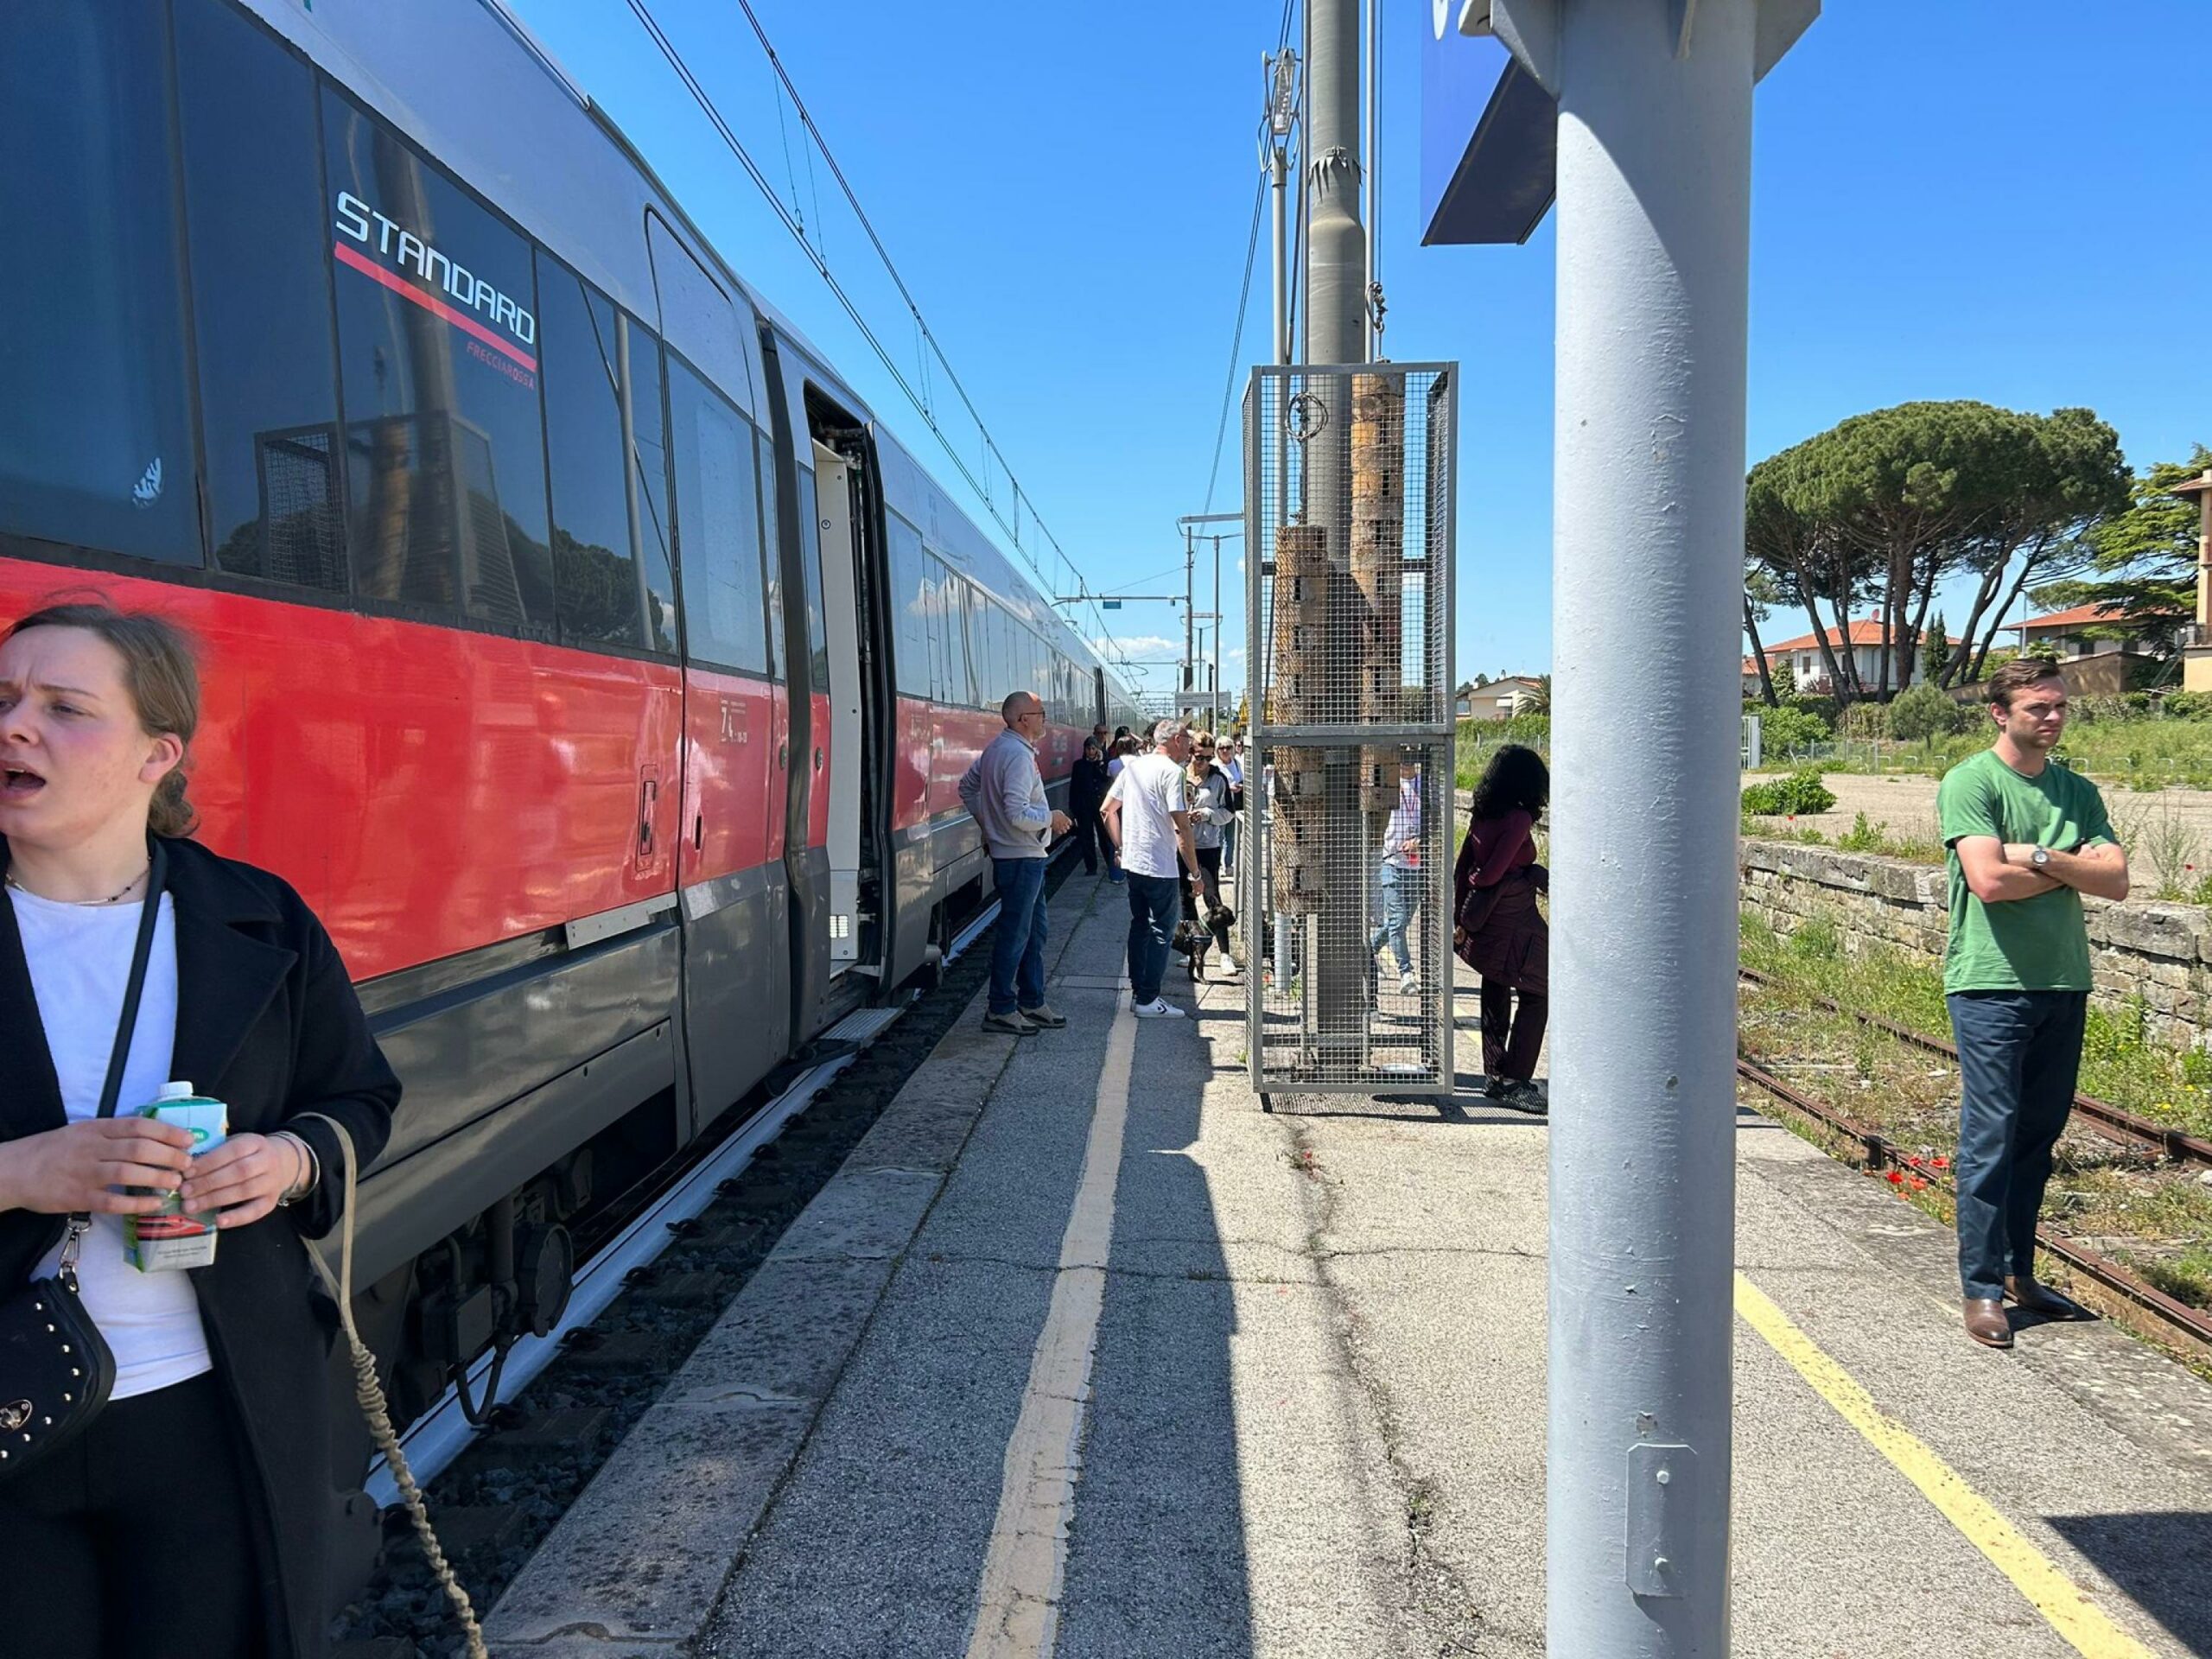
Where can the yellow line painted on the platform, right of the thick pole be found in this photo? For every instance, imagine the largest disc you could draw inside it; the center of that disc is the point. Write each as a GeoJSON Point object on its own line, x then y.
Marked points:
{"type": "Point", "coordinates": [2063, 1603]}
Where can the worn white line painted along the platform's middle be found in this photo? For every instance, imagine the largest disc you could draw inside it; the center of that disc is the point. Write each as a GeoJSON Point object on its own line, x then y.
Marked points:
{"type": "Point", "coordinates": [1019, 1603]}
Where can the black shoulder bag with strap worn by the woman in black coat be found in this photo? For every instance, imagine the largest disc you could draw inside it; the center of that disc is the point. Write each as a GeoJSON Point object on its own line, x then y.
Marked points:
{"type": "Point", "coordinates": [56, 1368]}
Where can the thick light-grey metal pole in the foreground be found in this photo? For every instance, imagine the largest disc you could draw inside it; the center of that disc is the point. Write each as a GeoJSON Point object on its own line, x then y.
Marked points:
{"type": "Point", "coordinates": [1656, 158]}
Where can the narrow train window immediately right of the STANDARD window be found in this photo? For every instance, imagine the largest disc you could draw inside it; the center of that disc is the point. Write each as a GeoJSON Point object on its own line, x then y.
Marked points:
{"type": "Point", "coordinates": [594, 563]}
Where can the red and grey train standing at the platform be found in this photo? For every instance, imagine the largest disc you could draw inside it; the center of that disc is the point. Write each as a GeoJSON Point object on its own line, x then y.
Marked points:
{"type": "Point", "coordinates": [578, 643]}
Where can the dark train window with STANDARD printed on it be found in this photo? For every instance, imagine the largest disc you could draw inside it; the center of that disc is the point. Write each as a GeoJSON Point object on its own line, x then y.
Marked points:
{"type": "Point", "coordinates": [439, 373]}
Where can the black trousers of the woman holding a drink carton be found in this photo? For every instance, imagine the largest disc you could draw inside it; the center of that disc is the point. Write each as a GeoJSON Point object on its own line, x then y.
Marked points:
{"type": "Point", "coordinates": [134, 1541]}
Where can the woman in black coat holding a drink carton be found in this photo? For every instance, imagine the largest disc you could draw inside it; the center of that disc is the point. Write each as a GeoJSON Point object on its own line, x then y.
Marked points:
{"type": "Point", "coordinates": [191, 1516]}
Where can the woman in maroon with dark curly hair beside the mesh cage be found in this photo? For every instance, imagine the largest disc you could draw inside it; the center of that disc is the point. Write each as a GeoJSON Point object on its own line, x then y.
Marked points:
{"type": "Point", "coordinates": [1499, 928]}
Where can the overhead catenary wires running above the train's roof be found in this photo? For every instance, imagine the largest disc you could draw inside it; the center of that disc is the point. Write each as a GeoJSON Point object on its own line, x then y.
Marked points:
{"type": "Point", "coordinates": [924, 404]}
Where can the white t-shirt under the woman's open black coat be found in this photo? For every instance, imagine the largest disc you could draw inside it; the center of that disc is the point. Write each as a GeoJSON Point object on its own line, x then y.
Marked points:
{"type": "Point", "coordinates": [81, 963]}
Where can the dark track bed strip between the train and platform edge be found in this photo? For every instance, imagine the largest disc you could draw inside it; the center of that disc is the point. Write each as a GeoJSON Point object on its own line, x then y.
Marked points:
{"type": "Point", "coordinates": [636, 1313]}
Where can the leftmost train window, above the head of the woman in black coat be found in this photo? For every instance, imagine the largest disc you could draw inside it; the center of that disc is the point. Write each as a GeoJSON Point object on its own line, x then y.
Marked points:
{"type": "Point", "coordinates": [96, 430]}
